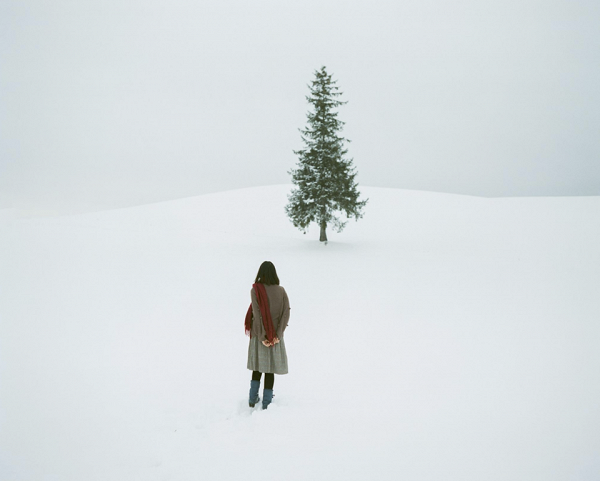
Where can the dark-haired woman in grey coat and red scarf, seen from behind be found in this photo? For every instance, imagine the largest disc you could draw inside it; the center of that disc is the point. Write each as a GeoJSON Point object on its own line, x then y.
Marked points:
{"type": "Point", "coordinates": [266, 320]}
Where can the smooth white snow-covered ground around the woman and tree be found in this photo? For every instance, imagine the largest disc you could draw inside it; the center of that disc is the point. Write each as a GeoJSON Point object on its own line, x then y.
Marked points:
{"type": "Point", "coordinates": [442, 337]}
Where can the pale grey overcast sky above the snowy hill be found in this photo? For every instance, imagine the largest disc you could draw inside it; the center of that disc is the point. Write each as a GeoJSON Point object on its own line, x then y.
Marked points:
{"type": "Point", "coordinates": [110, 103]}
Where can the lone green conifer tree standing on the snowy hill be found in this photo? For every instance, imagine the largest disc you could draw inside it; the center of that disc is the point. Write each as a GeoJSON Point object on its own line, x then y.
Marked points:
{"type": "Point", "coordinates": [324, 178]}
